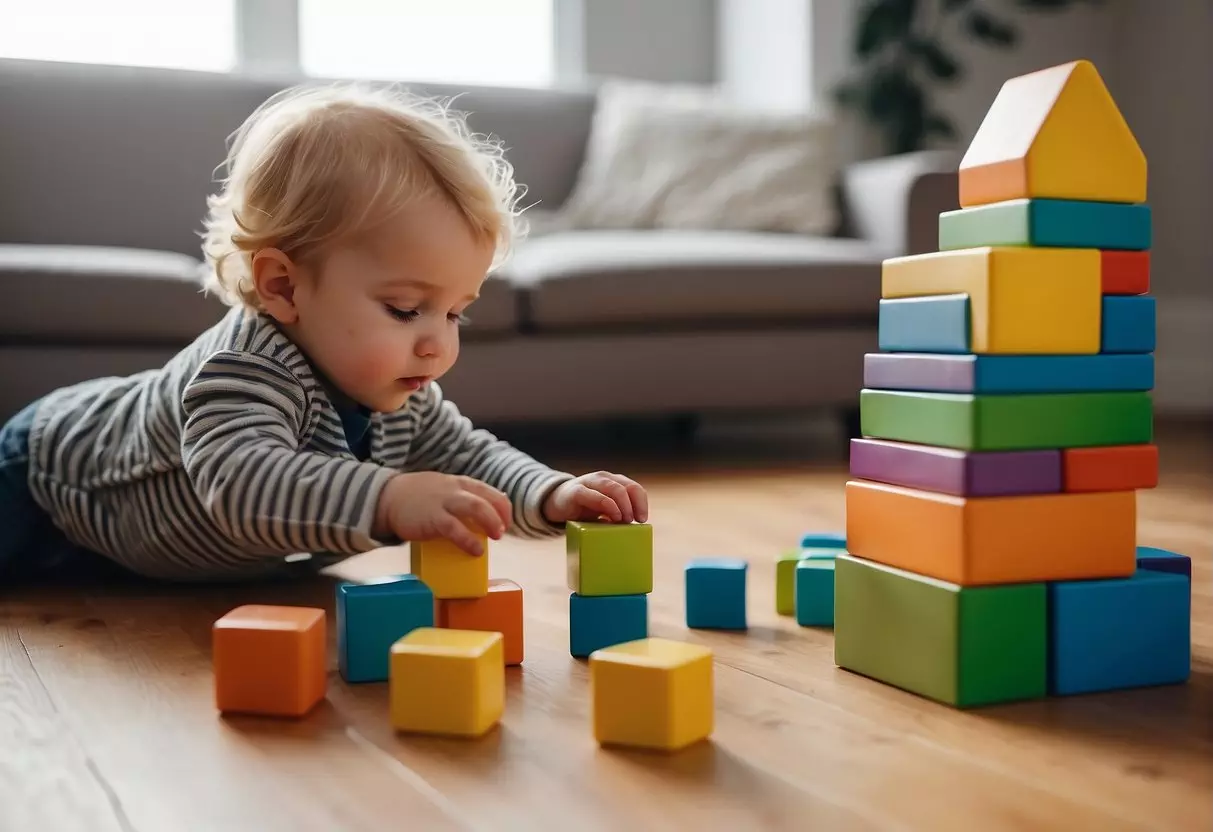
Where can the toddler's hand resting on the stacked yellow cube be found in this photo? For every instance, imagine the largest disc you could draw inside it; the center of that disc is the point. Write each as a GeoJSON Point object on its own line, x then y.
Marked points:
{"type": "Point", "coordinates": [426, 505]}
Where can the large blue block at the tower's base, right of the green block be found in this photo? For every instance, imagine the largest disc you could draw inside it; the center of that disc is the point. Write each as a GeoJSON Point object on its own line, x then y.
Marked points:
{"type": "Point", "coordinates": [1115, 634]}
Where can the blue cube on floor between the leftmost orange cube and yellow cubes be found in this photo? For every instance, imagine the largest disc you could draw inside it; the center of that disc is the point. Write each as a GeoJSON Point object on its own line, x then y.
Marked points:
{"type": "Point", "coordinates": [373, 617]}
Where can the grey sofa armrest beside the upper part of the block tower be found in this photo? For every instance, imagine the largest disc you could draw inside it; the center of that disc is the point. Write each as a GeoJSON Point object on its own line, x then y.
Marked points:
{"type": "Point", "coordinates": [896, 202]}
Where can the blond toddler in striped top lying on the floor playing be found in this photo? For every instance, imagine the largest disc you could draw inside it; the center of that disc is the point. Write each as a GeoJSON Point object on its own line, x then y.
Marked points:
{"type": "Point", "coordinates": [354, 231]}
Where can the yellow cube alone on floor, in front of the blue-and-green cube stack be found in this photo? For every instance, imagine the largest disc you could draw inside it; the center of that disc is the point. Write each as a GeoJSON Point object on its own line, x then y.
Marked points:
{"type": "Point", "coordinates": [652, 693]}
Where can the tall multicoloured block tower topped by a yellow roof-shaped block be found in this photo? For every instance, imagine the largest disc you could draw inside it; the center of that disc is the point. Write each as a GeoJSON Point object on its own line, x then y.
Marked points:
{"type": "Point", "coordinates": [1007, 425]}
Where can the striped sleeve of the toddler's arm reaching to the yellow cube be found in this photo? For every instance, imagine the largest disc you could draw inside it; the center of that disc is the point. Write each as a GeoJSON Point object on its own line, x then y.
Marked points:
{"type": "Point", "coordinates": [242, 441]}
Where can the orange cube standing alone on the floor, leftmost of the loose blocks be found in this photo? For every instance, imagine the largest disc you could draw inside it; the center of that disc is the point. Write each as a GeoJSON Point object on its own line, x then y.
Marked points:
{"type": "Point", "coordinates": [270, 660]}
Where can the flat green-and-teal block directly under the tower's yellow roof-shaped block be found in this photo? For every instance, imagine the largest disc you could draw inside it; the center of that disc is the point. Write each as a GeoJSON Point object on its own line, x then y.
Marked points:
{"type": "Point", "coordinates": [1049, 223]}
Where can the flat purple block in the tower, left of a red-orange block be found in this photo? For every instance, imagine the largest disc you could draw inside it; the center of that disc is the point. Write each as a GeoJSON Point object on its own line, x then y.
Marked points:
{"type": "Point", "coordinates": [950, 471]}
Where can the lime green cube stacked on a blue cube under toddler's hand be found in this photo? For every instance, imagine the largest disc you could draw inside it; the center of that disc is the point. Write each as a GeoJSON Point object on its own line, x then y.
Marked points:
{"type": "Point", "coordinates": [610, 559]}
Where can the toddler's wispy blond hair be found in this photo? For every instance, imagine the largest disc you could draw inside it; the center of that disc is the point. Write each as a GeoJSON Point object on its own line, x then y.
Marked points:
{"type": "Point", "coordinates": [316, 166]}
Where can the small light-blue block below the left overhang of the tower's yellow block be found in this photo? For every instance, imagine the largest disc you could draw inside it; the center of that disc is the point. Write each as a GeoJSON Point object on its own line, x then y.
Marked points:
{"type": "Point", "coordinates": [932, 324]}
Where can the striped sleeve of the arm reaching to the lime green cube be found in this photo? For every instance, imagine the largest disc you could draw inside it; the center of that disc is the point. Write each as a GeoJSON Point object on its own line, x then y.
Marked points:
{"type": "Point", "coordinates": [448, 442]}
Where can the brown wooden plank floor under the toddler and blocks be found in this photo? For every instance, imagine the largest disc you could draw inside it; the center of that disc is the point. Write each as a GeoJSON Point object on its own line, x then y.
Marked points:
{"type": "Point", "coordinates": [107, 719]}
